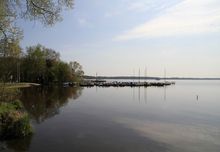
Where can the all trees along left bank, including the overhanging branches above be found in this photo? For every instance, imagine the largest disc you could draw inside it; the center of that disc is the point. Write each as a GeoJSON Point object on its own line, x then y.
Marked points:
{"type": "Point", "coordinates": [38, 63]}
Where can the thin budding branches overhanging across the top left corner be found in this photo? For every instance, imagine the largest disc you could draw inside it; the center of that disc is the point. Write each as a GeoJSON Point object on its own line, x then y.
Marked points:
{"type": "Point", "coordinates": [46, 11]}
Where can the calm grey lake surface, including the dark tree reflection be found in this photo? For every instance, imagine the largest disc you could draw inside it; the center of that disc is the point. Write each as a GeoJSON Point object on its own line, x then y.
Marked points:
{"type": "Point", "coordinates": [180, 118]}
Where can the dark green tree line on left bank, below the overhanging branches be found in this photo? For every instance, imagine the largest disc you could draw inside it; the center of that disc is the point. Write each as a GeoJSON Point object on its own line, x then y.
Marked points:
{"type": "Point", "coordinates": [37, 64]}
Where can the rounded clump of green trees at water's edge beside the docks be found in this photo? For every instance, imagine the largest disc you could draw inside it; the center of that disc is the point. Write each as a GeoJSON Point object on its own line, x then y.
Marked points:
{"type": "Point", "coordinates": [43, 65]}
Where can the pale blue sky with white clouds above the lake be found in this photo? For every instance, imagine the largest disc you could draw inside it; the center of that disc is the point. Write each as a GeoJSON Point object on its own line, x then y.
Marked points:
{"type": "Point", "coordinates": [119, 37]}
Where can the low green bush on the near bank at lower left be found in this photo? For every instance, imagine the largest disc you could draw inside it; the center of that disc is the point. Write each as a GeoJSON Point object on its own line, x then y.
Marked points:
{"type": "Point", "coordinates": [14, 121]}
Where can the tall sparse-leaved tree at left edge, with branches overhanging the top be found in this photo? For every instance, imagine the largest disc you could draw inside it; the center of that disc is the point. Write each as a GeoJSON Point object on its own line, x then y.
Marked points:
{"type": "Point", "coordinates": [48, 12]}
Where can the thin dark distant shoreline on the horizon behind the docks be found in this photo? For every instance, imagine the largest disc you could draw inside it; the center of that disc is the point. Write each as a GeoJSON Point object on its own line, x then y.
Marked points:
{"type": "Point", "coordinates": [149, 78]}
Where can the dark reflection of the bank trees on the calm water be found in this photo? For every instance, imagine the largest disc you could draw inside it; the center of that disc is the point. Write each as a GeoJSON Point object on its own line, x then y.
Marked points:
{"type": "Point", "coordinates": [44, 102]}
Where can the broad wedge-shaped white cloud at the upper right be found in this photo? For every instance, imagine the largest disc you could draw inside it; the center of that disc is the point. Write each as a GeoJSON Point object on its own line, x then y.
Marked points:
{"type": "Point", "coordinates": [186, 18]}
